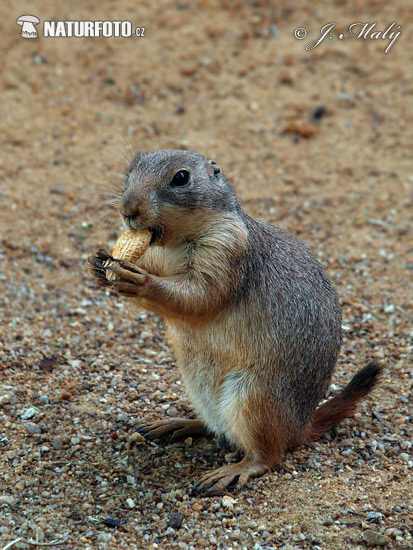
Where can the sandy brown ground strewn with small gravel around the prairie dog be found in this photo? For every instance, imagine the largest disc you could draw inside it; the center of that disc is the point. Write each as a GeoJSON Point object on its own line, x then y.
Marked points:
{"type": "Point", "coordinates": [79, 368]}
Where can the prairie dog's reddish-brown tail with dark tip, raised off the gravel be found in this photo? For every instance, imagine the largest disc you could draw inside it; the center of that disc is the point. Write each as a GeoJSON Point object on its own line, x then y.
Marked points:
{"type": "Point", "coordinates": [342, 405]}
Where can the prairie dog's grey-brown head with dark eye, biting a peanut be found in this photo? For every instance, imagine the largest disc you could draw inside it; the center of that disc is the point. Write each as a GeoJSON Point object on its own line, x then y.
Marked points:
{"type": "Point", "coordinates": [174, 193]}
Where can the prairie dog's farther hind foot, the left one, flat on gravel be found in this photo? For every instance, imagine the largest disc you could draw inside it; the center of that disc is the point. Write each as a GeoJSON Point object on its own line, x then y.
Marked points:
{"type": "Point", "coordinates": [177, 429]}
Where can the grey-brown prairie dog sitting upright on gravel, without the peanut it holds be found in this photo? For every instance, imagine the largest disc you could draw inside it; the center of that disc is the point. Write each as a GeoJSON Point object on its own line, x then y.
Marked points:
{"type": "Point", "coordinates": [251, 316]}
